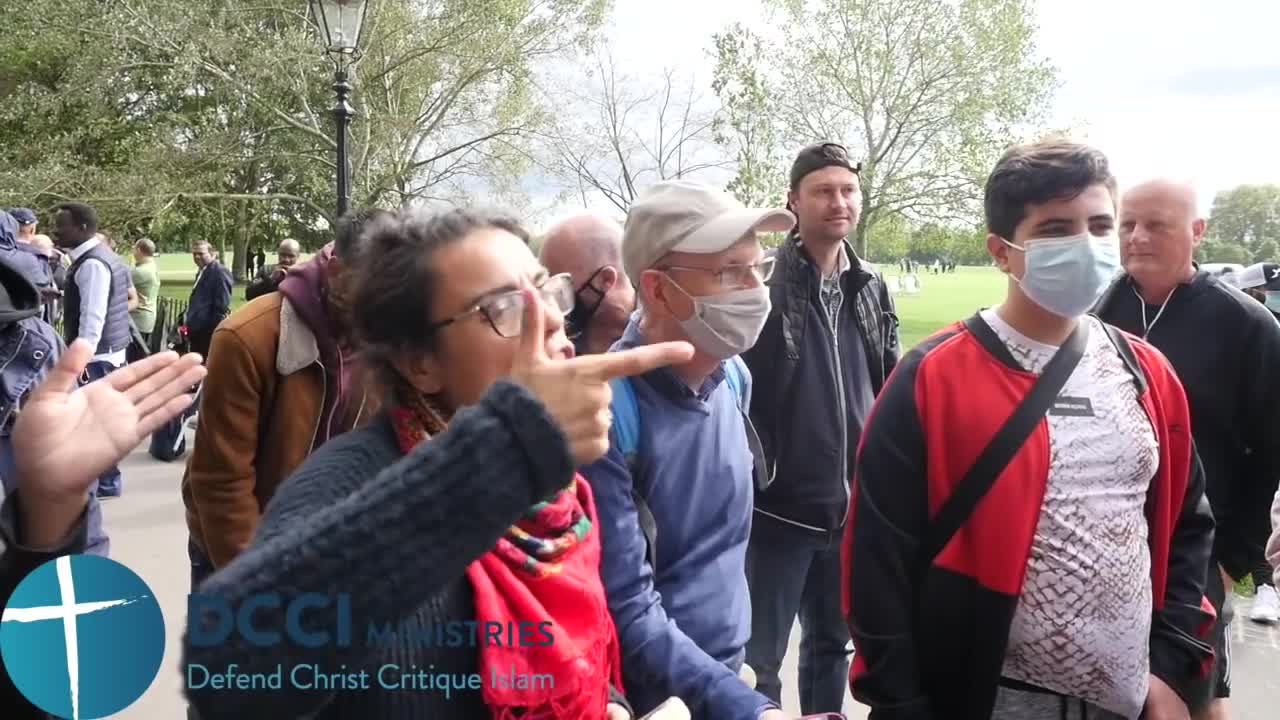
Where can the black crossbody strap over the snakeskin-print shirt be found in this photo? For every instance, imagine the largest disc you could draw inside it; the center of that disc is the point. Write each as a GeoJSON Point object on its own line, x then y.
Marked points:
{"type": "Point", "coordinates": [1005, 445]}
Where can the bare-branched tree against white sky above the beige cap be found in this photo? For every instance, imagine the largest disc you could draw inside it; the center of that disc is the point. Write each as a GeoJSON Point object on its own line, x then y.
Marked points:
{"type": "Point", "coordinates": [624, 134]}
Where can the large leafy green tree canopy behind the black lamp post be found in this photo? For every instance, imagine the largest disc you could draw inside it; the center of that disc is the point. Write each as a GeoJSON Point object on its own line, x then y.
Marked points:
{"type": "Point", "coordinates": [172, 116]}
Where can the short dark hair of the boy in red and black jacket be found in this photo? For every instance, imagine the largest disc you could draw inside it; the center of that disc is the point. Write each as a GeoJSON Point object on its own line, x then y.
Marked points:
{"type": "Point", "coordinates": [1036, 174]}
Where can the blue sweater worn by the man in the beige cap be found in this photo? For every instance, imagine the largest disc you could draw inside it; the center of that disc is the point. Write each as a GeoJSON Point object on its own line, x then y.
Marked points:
{"type": "Point", "coordinates": [683, 628]}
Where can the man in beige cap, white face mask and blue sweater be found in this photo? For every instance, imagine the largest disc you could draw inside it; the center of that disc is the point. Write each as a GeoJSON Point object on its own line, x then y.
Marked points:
{"type": "Point", "coordinates": [675, 491]}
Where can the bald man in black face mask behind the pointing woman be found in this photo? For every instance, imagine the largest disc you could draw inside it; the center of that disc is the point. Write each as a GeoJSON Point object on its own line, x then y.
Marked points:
{"type": "Point", "coordinates": [589, 248]}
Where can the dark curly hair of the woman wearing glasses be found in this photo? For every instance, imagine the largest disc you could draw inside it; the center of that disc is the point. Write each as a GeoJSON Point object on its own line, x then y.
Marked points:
{"type": "Point", "coordinates": [396, 280]}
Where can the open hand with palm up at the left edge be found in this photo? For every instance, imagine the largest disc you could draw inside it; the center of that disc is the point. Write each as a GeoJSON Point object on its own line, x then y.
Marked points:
{"type": "Point", "coordinates": [66, 438]}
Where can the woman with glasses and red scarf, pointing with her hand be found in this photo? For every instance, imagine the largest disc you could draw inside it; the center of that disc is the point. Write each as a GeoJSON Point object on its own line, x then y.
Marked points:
{"type": "Point", "coordinates": [442, 562]}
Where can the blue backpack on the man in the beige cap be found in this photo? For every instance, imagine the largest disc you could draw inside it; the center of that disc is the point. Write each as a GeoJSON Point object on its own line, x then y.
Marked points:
{"type": "Point", "coordinates": [627, 429]}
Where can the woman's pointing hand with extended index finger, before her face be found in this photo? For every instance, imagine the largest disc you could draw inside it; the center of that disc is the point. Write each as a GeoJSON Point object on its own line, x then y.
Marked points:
{"type": "Point", "coordinates": [577, 393]}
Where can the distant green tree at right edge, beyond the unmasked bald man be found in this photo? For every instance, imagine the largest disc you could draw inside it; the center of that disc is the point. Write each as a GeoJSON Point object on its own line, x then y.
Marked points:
{"type": "Point", "coordinates": [1247, 217]}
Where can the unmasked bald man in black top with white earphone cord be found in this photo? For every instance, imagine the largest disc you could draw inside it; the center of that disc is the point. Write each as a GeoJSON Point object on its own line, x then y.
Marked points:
{"type": "Point", "coordinates": [1226, 349]}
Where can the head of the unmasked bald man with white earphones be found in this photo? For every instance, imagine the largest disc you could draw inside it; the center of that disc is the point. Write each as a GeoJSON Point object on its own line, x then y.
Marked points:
{"type": "Point", "coordinates": [1160, 230]}
